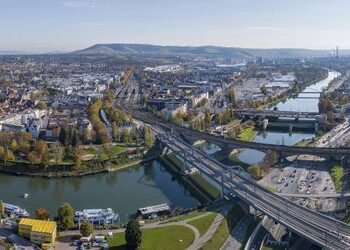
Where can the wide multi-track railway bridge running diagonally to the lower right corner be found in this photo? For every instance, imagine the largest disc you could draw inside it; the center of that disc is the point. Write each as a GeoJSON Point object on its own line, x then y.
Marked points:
{"type": "Point", "coordinates": [320, 229]}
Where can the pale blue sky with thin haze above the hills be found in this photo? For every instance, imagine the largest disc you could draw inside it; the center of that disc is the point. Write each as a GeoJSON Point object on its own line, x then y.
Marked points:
{"type": "Point", "coordinates": [67, 25]}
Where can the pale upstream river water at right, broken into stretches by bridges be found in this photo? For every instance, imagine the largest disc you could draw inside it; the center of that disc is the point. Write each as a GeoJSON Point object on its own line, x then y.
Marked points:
{"type": "Point", "coordinates": [250, 156]}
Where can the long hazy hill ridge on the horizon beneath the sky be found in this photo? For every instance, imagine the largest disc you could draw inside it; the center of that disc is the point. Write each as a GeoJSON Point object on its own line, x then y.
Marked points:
{"type": "Point", "coordinates": [146, 49]}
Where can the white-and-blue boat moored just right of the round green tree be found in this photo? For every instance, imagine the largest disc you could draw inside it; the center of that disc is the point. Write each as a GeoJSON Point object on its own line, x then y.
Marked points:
{"type": "Point", "coordinates": [96, 216]}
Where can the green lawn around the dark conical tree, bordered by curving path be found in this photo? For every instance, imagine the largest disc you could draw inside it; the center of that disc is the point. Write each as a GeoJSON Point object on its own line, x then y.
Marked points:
{"type": "Point", "coordinates": [172, 237]}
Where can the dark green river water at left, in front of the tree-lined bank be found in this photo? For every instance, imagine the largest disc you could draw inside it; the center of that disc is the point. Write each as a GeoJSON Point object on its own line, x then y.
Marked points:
{"type": "Point", "coordinates": [125, 190]}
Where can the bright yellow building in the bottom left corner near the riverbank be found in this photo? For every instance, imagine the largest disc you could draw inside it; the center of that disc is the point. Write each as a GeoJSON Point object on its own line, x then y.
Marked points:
{"type": "Point", "coordinates": [40, 232]}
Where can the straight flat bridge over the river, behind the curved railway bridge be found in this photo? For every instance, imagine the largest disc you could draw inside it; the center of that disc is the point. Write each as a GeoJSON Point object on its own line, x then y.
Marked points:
{"type": "Point", "coordinates": [265, 113]}
